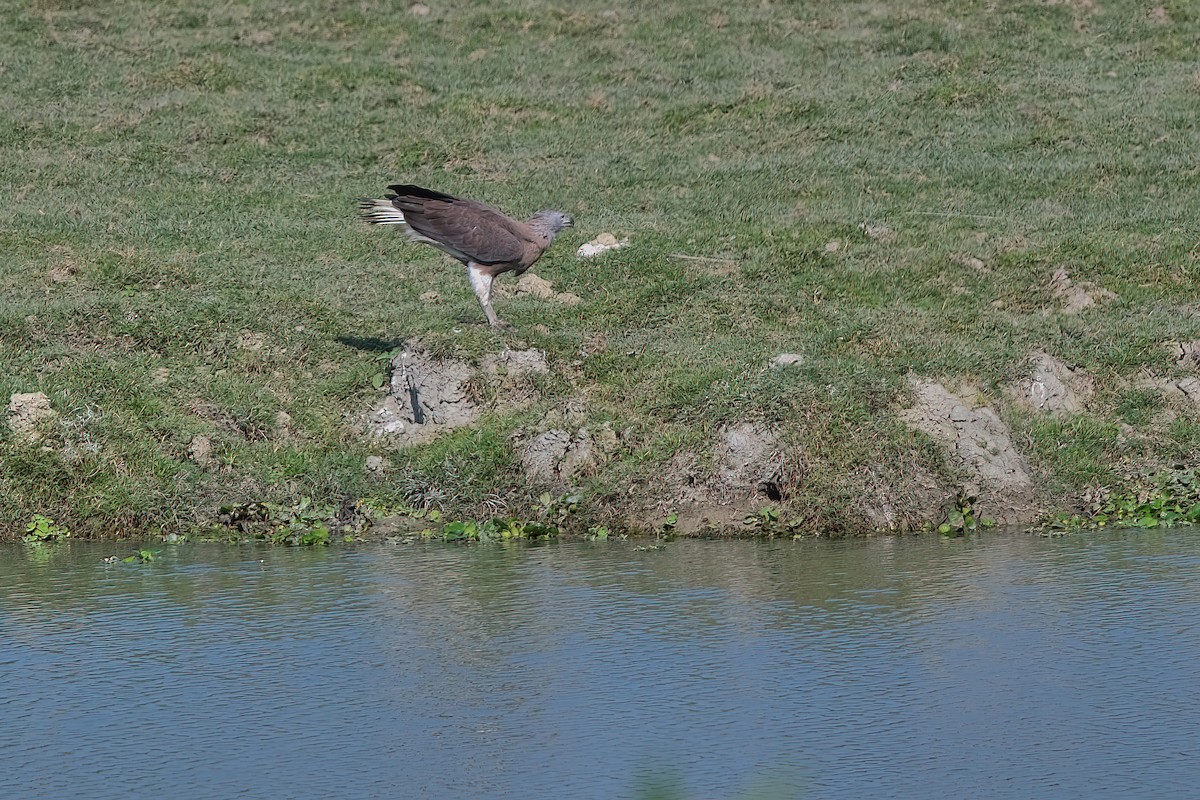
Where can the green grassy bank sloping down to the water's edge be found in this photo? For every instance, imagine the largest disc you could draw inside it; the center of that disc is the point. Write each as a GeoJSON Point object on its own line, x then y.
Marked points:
{"type": "Point", "coordinates": [884, 189]}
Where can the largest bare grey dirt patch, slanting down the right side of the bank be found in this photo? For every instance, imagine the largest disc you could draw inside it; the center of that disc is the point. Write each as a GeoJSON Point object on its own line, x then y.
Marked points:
{"type": "Point", "coordinates": [980, 444]}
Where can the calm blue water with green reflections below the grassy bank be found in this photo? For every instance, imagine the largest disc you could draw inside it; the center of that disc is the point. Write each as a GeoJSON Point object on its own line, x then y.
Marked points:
{"type": "Point", "coordinates": [989, 667]}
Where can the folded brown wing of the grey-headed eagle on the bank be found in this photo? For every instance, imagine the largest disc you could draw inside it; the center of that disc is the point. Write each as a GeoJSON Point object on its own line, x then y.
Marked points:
{"type": "Point", "coordinates": [470, 231]}
